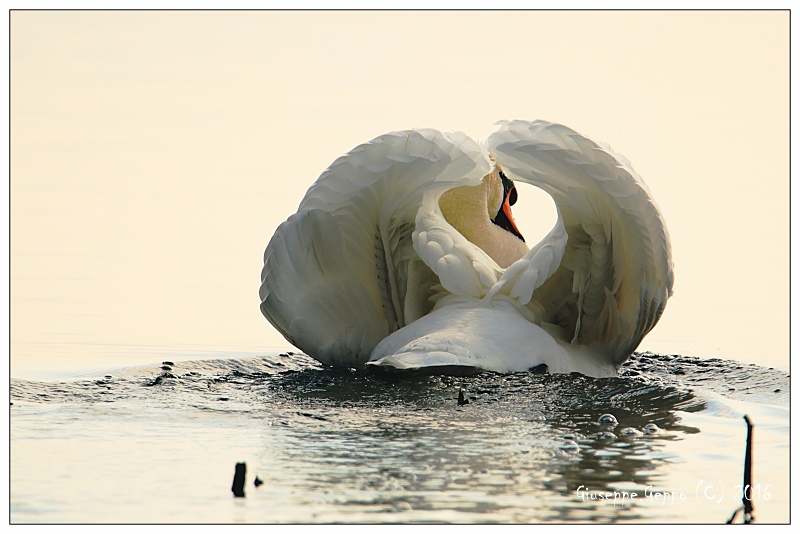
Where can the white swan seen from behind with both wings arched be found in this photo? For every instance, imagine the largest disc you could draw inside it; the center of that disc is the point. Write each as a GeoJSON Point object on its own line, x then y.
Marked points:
{"type": "Point", "coordinates": [403, 254]}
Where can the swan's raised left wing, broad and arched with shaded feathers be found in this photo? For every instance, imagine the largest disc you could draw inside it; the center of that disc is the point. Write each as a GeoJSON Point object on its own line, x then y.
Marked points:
{"type": "Point", "coordinates": [341, 274]}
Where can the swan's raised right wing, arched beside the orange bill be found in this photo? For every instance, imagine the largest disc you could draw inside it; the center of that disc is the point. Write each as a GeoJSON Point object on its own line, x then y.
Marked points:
{"type": "Point", "coordinates": [615, 275]}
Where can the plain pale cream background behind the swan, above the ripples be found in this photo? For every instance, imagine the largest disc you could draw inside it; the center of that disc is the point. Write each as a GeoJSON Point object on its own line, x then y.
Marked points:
{"type": "Point", "coordinates": [153, 154]}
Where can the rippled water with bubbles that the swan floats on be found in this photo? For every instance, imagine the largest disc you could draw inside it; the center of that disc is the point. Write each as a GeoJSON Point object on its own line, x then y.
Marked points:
{"type": "Point", "coordinates": [159, 444]}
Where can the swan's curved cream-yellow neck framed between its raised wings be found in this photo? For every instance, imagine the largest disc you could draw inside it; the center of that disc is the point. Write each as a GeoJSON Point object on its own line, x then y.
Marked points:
{"type": "Point", "coordinates": [469, 209]}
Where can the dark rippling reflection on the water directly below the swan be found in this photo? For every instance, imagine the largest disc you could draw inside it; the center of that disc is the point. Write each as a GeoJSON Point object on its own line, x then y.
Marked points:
{"type": "Point", "coordinates": [518, 433]}
